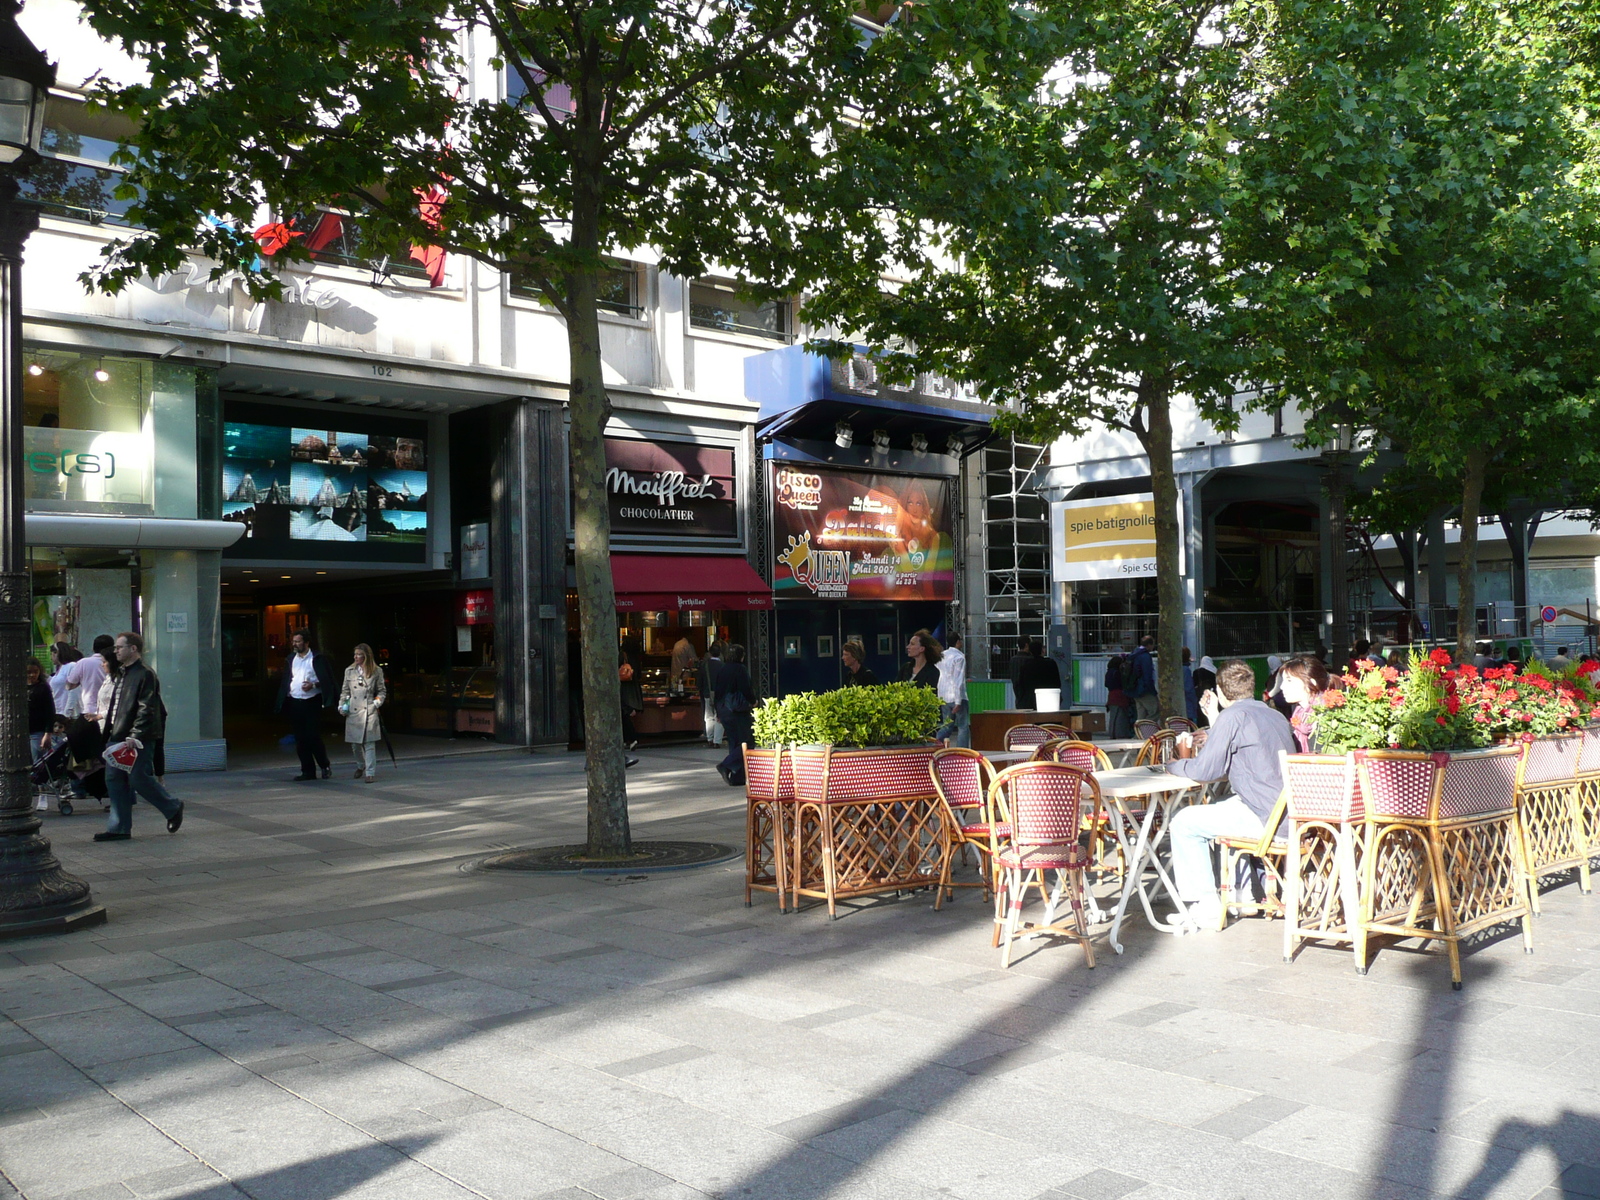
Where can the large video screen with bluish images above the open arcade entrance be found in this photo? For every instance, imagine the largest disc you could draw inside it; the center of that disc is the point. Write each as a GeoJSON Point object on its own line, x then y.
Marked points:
{"type": "Point", "coordinates": [297, 486]}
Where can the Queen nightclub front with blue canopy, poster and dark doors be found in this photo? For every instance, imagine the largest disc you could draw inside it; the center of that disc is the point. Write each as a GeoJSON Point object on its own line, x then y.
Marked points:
{"type": "Point", "coordinates": [866, 535]}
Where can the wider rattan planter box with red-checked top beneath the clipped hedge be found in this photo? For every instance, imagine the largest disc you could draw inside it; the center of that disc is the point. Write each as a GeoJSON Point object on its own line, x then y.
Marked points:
{"type": "Point", "coordinates": [873, 823]}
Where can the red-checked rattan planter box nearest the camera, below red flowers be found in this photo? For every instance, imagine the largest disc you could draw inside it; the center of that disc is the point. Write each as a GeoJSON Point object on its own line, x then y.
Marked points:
{"type": "Point", "coordinates": [1442, 847]}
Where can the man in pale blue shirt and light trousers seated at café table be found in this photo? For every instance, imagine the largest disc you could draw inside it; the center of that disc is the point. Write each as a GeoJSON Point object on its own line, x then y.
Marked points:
{"type": "Point", "coordinates": [1242, 748]}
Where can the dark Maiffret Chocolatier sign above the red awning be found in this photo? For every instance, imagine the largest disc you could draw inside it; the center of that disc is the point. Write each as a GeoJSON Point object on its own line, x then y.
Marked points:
{"type": "Point", "coordinates": [671, 489]}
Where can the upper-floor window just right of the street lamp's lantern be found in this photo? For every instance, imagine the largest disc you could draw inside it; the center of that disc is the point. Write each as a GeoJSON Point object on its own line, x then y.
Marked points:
{"type": "Point", "coordinates": [78, 178]}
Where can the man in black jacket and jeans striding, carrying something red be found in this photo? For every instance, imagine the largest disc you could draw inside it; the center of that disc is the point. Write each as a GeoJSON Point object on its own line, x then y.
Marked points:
{"type": "Point", "coordinates": [135, 721]}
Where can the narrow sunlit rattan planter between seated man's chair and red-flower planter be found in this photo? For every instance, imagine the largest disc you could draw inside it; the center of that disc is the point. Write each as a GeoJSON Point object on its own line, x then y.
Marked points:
{"type": "Point", "coordinates": [1327, 831]}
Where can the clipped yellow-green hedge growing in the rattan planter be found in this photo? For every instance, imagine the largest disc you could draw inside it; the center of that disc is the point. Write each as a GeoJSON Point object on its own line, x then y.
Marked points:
{"type": "Point", "coordinates": [892, 714]}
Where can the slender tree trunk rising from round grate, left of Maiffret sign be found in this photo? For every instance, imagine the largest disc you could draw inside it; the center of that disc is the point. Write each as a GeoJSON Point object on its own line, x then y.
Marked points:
{"type": "Point", "coordinates": [591, 409]}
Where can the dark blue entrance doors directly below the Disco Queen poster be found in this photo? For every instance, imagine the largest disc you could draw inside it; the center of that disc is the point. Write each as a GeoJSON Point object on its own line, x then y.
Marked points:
{"type": "Point", "coordinates": [810, 636]}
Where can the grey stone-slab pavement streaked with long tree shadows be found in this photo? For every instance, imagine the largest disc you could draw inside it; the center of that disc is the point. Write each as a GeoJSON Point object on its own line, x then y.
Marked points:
{"type": "Point", "coordinates": [310, 993]}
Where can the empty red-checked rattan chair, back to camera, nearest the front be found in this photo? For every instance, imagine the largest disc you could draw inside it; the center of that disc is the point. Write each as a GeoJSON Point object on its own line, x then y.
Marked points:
{"type": "Point", "coordinates": [1039, 810]}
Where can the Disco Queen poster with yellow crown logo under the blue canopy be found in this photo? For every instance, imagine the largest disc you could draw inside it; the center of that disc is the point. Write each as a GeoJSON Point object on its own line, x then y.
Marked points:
{"type": "Point", "coordinates": [860, 537]}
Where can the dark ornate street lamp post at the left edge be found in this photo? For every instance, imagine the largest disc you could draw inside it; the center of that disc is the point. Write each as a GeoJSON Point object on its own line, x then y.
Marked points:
{"type": "Point", "coordinates": [36, 894]}
